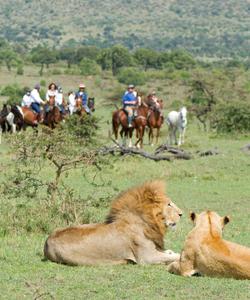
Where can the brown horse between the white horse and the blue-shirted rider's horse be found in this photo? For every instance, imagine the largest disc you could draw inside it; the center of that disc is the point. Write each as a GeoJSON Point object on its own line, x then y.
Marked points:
{"type": "Point", "coordinates": [155, 121]}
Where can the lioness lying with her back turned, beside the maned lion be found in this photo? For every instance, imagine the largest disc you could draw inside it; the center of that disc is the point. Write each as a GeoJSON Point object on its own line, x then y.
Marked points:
{"type": "Point", "coordinates": [205, 251]}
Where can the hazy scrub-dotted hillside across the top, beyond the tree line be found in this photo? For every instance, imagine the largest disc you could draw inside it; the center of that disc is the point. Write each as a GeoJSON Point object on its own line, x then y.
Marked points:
{"type": "Point", "coordinates": [210, 28]}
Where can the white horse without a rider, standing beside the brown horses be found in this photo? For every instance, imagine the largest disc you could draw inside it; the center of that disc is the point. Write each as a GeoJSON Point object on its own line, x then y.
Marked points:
{"type": "Point", "coordinates": [177, 121]}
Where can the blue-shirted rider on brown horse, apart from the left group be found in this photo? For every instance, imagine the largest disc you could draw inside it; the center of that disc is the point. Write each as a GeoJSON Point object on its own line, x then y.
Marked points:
{"type": "Point", "coordinates": [129, 101]}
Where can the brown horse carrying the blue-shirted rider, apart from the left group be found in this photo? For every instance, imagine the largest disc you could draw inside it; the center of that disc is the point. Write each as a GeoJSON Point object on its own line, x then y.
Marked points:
{"type": "Point", "coordinates": [139, 123]}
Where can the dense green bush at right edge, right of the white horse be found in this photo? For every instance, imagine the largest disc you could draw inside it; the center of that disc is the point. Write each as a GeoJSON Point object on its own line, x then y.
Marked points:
{"type": "Point", "coordinates": [231, 117]}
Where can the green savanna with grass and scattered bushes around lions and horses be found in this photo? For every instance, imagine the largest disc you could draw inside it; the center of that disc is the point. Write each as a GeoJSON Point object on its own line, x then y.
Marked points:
{"type": "Point", "coordinates": [57, 178]}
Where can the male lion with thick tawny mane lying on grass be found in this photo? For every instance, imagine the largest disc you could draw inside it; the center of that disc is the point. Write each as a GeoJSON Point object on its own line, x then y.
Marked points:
{"type": "Point", "coordinates": [133, 232]}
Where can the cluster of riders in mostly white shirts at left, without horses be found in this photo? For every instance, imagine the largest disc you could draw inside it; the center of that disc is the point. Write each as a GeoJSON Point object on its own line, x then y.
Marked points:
{"type": "Point", "coordinates": [33, 100]}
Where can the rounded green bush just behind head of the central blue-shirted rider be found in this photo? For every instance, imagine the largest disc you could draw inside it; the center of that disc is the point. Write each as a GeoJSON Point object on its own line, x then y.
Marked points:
{"type": "Point", "coordinates": [132, 76]}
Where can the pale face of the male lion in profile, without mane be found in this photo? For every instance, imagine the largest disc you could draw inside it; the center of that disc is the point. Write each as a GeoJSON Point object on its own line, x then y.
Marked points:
{"type": "Point", "coordinates": [171, 214]}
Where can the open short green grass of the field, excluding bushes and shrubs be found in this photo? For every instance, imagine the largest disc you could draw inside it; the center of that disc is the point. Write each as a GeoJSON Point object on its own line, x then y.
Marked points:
{"type": "Point", "coordinates": [219, 183]}
